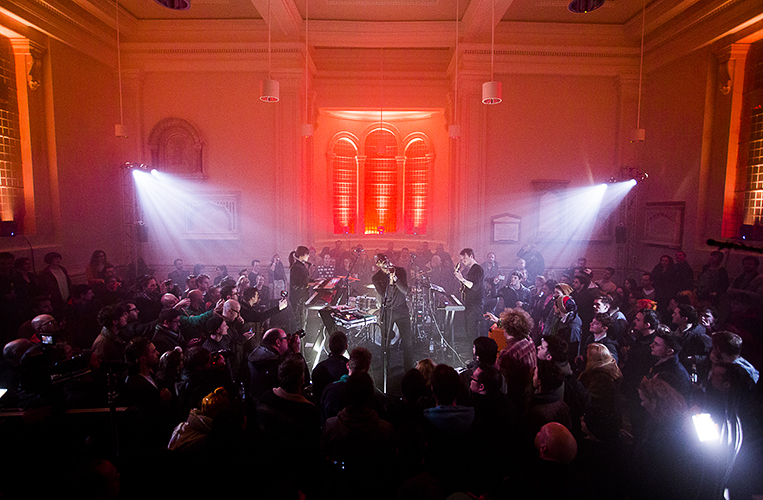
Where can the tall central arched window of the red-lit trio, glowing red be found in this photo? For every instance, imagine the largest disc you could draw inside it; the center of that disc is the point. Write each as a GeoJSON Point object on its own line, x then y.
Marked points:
{"type": "Point", "coordinates": [381, 183]}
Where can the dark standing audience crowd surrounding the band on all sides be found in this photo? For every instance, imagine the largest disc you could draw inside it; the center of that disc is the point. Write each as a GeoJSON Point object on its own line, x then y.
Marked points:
{"type": "Point", "coordinates": [196, 385]}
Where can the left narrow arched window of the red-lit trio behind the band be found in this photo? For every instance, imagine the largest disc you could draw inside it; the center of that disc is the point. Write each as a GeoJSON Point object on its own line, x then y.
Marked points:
{"type": "Point", "coordinates": [345, 181]}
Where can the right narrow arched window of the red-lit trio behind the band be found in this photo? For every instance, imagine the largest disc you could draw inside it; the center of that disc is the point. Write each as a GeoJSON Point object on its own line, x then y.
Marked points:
{"type": "Point", "coordinates": [417, 163]}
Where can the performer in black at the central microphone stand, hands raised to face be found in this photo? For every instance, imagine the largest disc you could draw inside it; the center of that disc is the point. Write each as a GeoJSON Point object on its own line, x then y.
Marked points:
{"type": "Point", "coordinates": [394, 305]}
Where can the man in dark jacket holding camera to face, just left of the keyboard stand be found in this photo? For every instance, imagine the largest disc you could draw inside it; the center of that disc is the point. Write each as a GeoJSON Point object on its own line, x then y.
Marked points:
{"type": "Point", "coordinates": [263, 361]}
